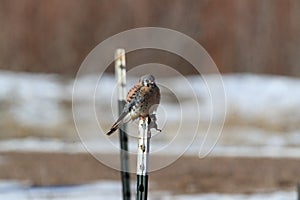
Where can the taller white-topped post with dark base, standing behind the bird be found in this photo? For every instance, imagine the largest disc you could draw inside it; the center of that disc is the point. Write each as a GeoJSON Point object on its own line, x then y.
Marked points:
{"type": "Point", "coordinates": [120, 71]}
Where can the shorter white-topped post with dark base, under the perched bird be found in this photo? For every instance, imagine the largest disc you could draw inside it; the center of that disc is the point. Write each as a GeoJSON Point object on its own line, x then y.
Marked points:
{"type": "Point", "coordinates": [143, 159]}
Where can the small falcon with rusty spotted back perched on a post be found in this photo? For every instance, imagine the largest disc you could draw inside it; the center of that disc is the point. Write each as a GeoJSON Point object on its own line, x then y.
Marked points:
{"type": "Point", "coordinates": [139, 102]}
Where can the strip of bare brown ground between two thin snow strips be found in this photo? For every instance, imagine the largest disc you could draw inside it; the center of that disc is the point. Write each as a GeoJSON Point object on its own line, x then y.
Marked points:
{"type": "Point", "coordinates": [186, 175]}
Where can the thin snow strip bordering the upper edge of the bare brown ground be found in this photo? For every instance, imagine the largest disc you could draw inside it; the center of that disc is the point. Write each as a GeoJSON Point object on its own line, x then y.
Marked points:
{"type": "Point", "coordinates": [55, 145]}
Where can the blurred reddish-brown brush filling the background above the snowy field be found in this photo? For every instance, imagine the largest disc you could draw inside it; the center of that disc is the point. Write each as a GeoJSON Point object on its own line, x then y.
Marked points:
{"type": "Point", "coordinates": [259, 36]}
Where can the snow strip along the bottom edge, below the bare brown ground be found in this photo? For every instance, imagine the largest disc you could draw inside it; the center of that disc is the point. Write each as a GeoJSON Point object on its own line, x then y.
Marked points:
{"type": "Point", "coordinates": [11, 190]}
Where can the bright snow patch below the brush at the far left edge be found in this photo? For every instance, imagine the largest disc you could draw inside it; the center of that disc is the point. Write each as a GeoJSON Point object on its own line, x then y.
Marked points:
{"type": "Point", "coordinates": [33, 98]}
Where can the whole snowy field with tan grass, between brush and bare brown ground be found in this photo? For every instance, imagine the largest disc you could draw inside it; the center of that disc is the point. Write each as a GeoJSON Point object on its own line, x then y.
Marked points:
{"type": "Point", "coordinates": [262, 117]}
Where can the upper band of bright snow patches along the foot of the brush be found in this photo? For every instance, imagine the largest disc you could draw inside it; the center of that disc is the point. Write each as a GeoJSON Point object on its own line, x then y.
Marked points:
{"type": "Point", "coordinates": [249, 95]}
